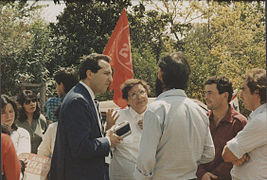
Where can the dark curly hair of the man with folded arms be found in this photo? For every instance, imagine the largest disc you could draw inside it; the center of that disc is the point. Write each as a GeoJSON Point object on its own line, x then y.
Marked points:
{"type": "Point", "coordinates": [256, 79]}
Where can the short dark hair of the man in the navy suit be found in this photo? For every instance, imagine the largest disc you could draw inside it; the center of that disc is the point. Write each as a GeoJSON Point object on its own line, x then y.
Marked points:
{"type": "Point", "coordinates": [91, 62]}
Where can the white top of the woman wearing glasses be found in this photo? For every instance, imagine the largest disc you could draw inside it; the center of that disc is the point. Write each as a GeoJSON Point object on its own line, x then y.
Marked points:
{"type": "Point", "coordinates": [125, 153]}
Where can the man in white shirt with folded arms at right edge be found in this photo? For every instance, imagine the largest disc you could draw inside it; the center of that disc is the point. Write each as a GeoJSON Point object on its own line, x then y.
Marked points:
{"type": "Point", "coordinates": [248, 150]}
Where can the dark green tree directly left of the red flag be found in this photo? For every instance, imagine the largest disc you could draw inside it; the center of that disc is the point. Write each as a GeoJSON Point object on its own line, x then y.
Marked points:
{"type": "Point", "coordinates": [83, 28]}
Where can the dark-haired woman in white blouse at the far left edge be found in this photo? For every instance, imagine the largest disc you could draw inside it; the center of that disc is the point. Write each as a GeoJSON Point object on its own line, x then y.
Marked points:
{"type": "Point", "coordinates": [20, 137]}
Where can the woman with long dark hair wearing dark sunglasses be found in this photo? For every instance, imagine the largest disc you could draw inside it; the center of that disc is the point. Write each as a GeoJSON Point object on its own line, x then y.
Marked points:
{"type": "Point", "coordinates": [31, 118]}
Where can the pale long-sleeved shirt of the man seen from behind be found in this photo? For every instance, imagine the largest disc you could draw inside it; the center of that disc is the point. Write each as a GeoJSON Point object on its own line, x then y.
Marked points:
{"type": "Point", "coordinates": [175, 140]}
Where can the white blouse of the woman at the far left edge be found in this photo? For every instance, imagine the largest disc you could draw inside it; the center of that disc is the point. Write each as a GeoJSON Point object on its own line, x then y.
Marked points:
{"type": "Point", "coordinates": [21, 140]}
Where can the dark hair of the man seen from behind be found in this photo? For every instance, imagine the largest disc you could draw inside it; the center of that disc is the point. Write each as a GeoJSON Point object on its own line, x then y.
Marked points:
{"type": "Point", "coordinates": [176, 70]}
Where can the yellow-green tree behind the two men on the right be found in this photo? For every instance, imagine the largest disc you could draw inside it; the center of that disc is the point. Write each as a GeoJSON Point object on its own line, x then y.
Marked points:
{"type": "Point", "coordinates": [231, 41]}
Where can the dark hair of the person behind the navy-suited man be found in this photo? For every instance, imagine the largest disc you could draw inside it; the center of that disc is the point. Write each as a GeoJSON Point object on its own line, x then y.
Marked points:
{"type": "Point", "coordinates": [68, 77]}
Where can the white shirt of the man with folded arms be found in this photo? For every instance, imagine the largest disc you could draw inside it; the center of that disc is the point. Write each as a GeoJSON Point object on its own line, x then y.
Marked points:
{"type": "Point", "coordinates": [252, 140]}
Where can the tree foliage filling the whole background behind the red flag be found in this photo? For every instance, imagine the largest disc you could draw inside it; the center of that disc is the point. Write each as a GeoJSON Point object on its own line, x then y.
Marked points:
{"type": "Point", "coordinates": [229, 39]}
